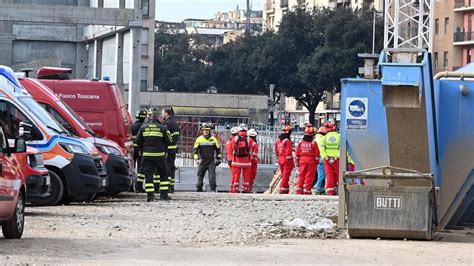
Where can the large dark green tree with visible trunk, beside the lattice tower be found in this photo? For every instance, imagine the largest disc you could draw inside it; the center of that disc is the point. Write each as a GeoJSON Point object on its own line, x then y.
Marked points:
{"type": "Point", "coordinates": [324, 50]}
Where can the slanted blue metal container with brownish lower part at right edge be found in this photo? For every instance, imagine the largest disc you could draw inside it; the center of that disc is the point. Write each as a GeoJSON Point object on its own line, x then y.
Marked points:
{"type": "Point", "coordinates": [456, 145]}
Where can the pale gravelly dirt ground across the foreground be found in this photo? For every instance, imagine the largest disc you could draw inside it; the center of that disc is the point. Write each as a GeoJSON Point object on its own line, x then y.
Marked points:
{"type": "Point", "coordinates": [206, 228]}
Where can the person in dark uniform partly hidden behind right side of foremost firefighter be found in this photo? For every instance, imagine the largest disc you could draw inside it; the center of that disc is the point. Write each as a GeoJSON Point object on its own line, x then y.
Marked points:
{"type": "Point", "coordinates": [167, 116]}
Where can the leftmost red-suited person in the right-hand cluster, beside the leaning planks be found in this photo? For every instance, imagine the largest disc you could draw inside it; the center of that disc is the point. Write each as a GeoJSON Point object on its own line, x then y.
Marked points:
{"type": "Point", "coordinates": [283, 151]}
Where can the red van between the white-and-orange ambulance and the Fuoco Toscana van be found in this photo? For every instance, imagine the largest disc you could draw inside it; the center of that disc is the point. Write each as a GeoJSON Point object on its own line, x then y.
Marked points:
{"type": "Point", "coordinates": [118, 166]}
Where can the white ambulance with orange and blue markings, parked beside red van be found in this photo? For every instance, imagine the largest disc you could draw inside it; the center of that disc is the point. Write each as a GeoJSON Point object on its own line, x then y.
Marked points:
{"type": "Point", "coordinates": [75, 167]}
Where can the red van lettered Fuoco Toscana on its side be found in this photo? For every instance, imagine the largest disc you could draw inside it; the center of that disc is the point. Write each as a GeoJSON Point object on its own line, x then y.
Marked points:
{"type": "Point", "coordinates": [99, 103]}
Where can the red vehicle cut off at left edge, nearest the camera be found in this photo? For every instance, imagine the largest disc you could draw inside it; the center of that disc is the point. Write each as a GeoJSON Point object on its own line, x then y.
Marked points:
{"type": "Point", "coordinates": [12, 188]}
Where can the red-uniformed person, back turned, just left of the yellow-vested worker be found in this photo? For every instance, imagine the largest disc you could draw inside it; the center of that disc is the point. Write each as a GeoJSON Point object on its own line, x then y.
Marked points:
{"type": "Point", "coordinates": [307, 159]}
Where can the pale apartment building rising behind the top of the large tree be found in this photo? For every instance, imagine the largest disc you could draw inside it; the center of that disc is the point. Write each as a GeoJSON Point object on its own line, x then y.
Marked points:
{"type": "Point", "coordinates": [274, 10]}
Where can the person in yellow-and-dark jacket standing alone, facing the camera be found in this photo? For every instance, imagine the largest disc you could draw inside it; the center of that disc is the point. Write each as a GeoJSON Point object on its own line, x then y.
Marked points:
{"type": "Point", "coordinates": [207, 155]}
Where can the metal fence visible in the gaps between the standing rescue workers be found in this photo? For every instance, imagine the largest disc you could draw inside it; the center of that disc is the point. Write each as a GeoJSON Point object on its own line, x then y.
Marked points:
{"type": "Point", "coordinates": [189, 131]}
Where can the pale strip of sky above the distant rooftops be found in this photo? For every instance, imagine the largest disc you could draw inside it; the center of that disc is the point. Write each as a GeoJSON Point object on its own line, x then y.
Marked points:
{"type": "Point", "coordinates": [178, 10]}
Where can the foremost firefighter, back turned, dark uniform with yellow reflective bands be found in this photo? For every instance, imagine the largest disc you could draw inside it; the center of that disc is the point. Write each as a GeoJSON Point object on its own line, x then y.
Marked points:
{"type": "Point", "coordinates": [153, 141]}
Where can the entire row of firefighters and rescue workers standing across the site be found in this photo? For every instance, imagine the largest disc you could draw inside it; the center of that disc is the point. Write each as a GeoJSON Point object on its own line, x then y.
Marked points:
{"type": "Point", "coordinates": [156, 135]}
